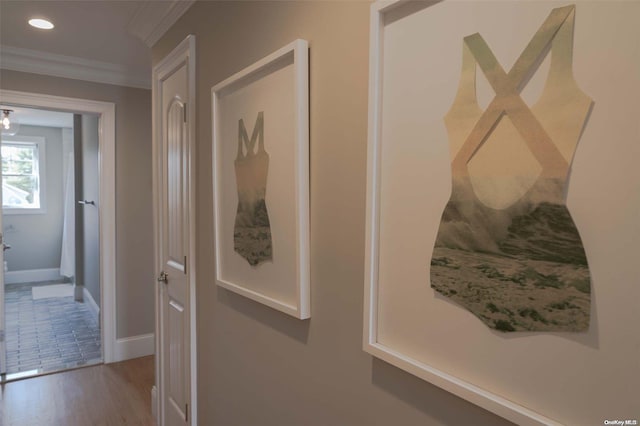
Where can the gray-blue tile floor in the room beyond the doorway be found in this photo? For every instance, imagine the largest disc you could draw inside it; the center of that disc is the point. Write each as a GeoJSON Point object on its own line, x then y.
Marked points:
{"type": "Point", "coordinates": [48, 334]}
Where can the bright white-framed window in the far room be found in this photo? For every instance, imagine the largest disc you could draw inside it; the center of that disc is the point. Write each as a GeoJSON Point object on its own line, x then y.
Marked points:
{"type": "Point", "coordinates": [22, 172]}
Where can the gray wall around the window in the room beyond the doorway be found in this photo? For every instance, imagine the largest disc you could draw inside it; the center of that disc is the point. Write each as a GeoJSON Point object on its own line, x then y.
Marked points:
{"type": "Point", "coordinates": [36, 239]}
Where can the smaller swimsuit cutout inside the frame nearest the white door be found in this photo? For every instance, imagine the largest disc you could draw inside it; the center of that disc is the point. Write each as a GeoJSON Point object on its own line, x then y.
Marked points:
{"type": "Point", "coordinates": [252, 230]}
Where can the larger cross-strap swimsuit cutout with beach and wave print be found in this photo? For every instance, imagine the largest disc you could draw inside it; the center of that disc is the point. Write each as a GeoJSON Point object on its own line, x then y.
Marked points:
{"type": "Point", "coordinates": [507, 248]}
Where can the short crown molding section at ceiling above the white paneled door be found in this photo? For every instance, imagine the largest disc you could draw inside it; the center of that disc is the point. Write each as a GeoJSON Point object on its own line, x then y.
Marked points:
{"type": "Point", "coordinates": [154, 18]}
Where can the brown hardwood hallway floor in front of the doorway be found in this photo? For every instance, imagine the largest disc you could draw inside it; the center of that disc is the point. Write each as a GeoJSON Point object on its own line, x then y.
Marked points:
{"type": "Point", "coordinates": [114, 394]}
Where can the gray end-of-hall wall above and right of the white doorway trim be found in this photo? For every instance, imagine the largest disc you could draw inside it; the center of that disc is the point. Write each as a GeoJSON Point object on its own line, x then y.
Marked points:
{"type": "Point", "coordinates": [134, 224]}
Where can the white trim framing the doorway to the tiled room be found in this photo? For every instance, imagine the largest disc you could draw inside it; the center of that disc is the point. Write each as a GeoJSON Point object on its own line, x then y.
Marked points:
{"type": "Point", "coordinates": [103, 114]}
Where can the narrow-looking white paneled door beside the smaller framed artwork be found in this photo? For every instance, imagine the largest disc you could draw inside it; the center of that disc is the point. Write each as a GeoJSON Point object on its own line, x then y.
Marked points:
{"type": "Point", "coordinates": [173, 241]}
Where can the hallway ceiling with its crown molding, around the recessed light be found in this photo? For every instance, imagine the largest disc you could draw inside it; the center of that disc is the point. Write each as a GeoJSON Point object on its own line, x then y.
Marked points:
{"type": "Point", "coordinates": [107, 37]}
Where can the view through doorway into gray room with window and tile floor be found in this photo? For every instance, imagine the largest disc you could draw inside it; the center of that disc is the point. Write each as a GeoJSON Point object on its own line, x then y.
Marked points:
{"type": "Point", "coordinates": [50, 227]}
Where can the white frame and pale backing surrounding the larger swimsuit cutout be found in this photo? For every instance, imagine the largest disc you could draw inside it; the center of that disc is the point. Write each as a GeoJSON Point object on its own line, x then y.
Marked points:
{"type": "Point", "coordinates": [527, 378]}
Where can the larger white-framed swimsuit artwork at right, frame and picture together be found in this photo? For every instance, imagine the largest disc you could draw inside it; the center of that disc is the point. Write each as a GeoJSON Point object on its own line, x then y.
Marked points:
{"type": "Point", "coordinates": [538, 342]}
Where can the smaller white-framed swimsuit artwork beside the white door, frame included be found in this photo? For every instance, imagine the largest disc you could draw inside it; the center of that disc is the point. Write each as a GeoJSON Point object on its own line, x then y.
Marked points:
{"type": "Point", "coordinates": [261, 146]}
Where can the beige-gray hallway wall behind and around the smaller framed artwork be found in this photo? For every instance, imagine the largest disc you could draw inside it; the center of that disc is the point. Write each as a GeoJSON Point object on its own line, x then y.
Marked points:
{"type": "Point", "coordinates": [257, 366]}
